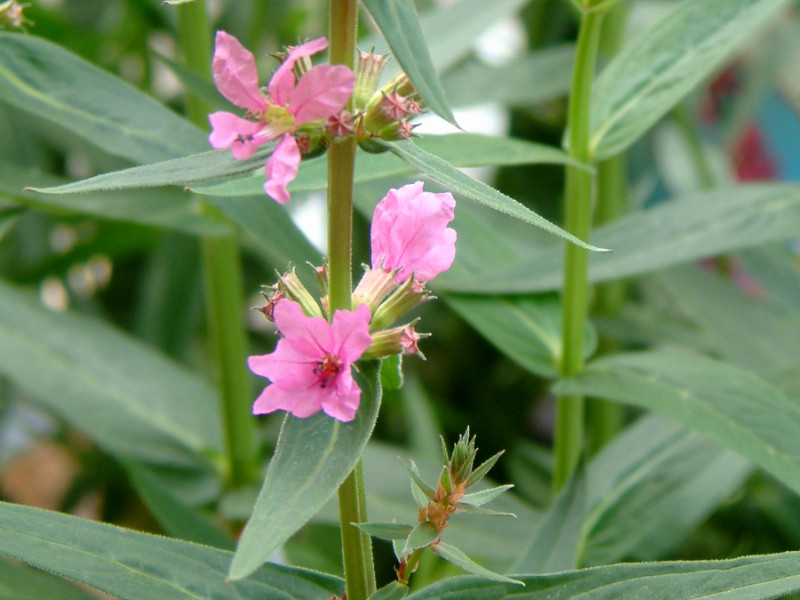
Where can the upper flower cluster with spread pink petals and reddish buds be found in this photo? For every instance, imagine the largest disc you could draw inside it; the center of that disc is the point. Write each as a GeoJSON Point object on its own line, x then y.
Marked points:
{"type": "Point", "coordinates": [303, 108]}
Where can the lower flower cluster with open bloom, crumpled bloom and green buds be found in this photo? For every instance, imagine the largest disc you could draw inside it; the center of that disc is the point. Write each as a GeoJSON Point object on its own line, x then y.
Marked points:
{"type": "Point", "coordinates": [310, 369]}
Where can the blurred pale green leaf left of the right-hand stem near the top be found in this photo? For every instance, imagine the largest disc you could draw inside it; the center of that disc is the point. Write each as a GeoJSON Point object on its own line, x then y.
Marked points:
{"type": "Point", "coordinates": [544, 75]}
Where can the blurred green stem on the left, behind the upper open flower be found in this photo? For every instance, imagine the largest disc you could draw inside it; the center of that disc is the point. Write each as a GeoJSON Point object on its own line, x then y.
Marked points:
{"type": "Point", "coordinates": [223, 280]}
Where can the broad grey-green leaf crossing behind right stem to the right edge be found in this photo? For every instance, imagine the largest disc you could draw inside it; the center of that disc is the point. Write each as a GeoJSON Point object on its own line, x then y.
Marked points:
{"type": "Point", "coordinates": [699, 225]}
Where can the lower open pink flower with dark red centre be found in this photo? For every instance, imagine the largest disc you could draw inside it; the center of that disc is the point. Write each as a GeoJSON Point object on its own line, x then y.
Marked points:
{"type": "Point", "coordinates": [310, 367]}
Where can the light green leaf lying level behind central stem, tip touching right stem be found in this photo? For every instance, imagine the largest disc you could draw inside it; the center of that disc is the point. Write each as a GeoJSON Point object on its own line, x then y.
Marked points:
{"type": "Point", "coordinates": [462, 149]}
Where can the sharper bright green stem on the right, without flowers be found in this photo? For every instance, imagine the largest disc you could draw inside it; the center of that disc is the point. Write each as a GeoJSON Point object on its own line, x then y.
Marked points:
{"type": "Point", "coordinates": [579, 190]}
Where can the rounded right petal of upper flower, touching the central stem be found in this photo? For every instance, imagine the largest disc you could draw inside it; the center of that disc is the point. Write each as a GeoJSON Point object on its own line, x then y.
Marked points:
{"type": "Point", "coordinates": [321, 93]}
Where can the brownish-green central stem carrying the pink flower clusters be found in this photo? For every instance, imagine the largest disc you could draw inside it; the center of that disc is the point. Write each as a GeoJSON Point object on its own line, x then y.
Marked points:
{"type": "Point", "coordinates": [359, 570]}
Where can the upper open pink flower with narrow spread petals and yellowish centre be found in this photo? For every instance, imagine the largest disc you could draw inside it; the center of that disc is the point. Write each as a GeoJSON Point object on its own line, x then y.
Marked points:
{"type": "Point", "coordinates": [320, 93]}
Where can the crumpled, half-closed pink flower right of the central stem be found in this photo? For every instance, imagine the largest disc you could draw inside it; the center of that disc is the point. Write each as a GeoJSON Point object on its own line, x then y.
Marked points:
{"type": "Point", "coordinates": [410, 233]}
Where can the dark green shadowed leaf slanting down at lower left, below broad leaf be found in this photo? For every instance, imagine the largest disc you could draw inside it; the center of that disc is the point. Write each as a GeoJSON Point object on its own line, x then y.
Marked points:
{"type": "Point", "coordinates": [177, 519]}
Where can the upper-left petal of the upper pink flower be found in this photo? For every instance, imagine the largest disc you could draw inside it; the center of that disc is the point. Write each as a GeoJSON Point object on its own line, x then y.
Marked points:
{"type": "Point", "coordinates": [235, 73]}
